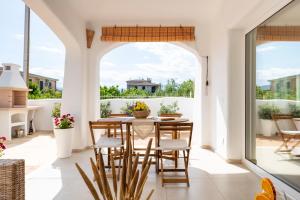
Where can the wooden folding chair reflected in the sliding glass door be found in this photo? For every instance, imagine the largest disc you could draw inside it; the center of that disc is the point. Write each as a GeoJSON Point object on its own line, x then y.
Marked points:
{"type": "Point", "coordinates": [286, 135]}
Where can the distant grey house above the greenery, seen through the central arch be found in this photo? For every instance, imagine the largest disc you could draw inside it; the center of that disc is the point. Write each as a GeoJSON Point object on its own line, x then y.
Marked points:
{"type": "Point", "coordinates": [142, 84]}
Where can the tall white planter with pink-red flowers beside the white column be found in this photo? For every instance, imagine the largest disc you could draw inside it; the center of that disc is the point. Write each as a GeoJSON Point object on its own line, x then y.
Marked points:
{"type": "Point", "coordinates": [63, 132]}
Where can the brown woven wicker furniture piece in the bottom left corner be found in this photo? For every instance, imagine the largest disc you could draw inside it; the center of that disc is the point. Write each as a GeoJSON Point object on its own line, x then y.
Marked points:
{"type": "Point", "coordinates": [12, 181]}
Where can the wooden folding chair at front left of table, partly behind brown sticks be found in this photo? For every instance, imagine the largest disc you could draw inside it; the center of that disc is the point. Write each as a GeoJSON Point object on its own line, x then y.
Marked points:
{"type": "Point", "coordinates": [110, 140]}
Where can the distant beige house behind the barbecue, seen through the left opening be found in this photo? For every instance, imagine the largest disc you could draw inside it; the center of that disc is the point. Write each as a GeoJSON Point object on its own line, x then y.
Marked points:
{"type": "Point", "coordinates": [41, 81]}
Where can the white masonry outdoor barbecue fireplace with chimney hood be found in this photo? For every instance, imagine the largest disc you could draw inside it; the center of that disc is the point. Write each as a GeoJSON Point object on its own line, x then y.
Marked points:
{"type": "Point", "coordinates": [13, 102]}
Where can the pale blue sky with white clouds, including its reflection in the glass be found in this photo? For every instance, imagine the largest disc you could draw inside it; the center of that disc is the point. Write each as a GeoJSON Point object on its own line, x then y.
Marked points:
{"type": "Point", "coordinates": [159, 61]}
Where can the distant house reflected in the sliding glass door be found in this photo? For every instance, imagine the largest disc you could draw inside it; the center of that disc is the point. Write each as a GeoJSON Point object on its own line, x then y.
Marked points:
{"type": "Point", "coordinates": [287, 83]}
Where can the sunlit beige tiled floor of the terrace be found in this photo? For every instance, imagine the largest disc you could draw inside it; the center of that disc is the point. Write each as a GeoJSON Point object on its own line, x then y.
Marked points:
{"type": "Point", "coordinates": [211, 177]}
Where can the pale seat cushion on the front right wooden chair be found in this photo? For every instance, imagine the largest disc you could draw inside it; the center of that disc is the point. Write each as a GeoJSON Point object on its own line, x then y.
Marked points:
{"type": "Point", "coordinates": [169, 144]}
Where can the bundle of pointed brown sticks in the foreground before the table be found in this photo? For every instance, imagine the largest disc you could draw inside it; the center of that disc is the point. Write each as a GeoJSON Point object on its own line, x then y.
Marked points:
{"type": "Point", "coordinates": [132, 181]}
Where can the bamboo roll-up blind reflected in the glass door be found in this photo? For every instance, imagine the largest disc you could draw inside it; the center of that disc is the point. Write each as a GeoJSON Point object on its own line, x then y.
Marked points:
{"type": "Point", "coordinates": [278, 33]}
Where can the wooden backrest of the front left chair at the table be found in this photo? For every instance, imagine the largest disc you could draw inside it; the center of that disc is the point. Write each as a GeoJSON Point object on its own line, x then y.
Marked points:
{"type": "Point", "coordinates": [111, 127]}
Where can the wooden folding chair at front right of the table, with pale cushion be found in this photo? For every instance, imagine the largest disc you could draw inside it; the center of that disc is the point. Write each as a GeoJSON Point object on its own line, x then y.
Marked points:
{"type": "Point", "coordinates": [178, 144]}
